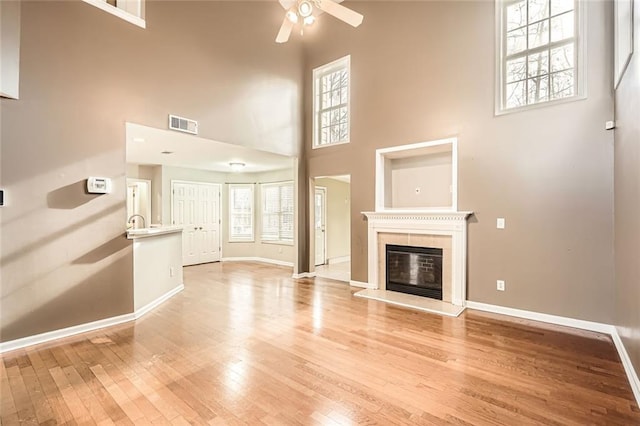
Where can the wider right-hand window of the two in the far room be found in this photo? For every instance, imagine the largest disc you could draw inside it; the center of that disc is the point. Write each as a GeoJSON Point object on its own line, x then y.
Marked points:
{"type": "Point", "coordinates": [277, 212]}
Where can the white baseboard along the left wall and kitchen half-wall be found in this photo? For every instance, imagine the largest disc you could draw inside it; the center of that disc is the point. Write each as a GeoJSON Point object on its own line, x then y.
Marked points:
{"type": "Point", "coordinates": [83, 328]}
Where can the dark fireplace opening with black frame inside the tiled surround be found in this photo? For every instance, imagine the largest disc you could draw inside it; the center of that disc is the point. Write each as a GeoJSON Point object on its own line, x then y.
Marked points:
{"type": "Point", "coordinates": [414, 270]}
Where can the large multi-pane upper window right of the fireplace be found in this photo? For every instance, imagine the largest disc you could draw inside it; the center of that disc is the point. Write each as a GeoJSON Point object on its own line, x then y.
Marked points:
{"type": "Point", "coordinates": [540, 47]}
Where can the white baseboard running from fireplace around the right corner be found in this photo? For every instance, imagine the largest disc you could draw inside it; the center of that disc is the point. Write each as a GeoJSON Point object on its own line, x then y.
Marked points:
{"type": "Point", "coordinates": [632, 375]}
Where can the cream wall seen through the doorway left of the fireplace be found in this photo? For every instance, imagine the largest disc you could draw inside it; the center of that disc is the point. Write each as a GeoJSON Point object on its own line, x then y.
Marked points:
{"type": "Point", "coordinates": [338, 221]}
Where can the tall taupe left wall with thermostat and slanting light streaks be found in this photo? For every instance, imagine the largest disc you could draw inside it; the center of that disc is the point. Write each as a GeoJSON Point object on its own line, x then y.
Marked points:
{"type": "Point", "coordinates": [84, 73]}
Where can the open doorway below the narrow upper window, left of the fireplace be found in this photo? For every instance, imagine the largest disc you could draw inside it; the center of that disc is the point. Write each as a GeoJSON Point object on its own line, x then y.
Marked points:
{"type": "Point", "coordinates": [332, 227]}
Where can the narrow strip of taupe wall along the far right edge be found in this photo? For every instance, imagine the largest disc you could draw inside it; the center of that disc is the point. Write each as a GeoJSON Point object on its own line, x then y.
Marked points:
{"type": "Point", "coordinates": [627, 204]}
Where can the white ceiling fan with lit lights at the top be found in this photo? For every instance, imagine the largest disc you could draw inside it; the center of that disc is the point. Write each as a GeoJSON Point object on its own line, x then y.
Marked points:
{"type": "Point", "coordinates": [305, 11]}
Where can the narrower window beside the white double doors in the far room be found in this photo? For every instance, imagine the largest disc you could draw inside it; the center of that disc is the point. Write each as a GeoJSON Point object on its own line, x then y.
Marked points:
{"type": "Point", "coordinates": [241, 212]}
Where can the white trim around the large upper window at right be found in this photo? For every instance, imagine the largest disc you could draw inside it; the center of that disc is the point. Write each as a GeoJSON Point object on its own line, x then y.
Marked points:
{"type": "Point", "coordinates": [581, 71]}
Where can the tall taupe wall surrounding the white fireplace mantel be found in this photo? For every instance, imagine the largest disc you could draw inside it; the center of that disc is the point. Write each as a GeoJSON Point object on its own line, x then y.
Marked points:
{"type": "Point", "coordinates": [425, 70]}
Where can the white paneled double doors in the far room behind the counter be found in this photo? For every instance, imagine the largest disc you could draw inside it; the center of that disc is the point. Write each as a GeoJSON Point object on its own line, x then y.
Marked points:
{"type": "Point", "coordinates": [196, 207]}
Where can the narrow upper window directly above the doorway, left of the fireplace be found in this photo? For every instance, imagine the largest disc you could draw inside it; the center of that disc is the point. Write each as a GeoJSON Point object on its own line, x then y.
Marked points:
{"type": "Point", "coordinates": [331, 103]}
